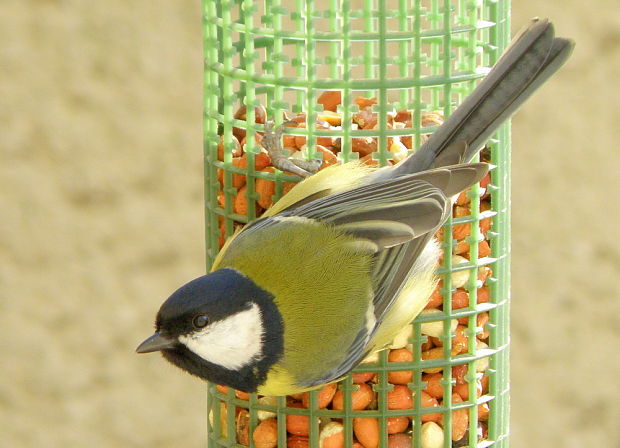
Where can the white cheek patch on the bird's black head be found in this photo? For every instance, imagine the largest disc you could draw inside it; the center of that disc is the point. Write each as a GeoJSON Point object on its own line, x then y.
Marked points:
{"type": "Point", "coordinates": [232, 343]}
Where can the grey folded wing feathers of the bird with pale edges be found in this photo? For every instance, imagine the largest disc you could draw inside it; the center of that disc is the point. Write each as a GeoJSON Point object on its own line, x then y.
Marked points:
{"type": "Point", "coordinates": [394, 220]}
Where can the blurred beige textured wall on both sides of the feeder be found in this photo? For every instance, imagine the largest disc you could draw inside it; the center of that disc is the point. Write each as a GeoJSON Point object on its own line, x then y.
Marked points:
{"type": "Point", "coordinates": [101, 218]}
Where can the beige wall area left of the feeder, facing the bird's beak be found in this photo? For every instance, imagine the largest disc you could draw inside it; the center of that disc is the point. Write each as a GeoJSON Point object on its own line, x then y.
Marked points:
{"type": "Point", "coordinates": [101, 218]}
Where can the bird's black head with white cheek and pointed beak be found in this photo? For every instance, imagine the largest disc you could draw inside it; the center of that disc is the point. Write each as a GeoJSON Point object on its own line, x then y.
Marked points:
{"type": "Point", "coordinates": [221, 327]}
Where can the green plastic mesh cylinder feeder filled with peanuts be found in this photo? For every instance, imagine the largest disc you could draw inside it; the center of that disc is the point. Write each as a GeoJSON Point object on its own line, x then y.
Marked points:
{"type": "Point", "coordinates": [417, 59]}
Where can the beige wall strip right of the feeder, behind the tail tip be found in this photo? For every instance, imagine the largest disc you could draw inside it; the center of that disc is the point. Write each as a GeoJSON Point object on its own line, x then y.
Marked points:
{"type": "Point", "coordinates": [566, 296]}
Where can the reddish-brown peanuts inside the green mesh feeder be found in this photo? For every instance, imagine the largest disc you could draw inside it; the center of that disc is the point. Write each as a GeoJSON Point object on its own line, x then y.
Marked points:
{"type": "Point", "coordinates": [366, 429]}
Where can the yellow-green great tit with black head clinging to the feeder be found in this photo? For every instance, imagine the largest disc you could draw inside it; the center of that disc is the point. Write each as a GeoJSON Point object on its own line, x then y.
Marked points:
{"type": "Point", "coordinates": [346, 259]}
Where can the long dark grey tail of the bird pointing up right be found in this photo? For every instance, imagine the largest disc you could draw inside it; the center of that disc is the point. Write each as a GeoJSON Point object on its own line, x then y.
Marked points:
{"type": "Point", "coordinates": [533, 57]}
